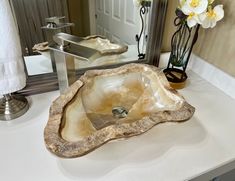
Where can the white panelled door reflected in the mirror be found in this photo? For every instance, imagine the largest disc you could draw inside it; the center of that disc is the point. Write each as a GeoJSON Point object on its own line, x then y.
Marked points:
{"type": "Point", "coordinates": [118, 20]}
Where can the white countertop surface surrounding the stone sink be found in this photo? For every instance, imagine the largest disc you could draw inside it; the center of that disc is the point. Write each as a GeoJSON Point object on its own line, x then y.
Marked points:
{"type": "Point", "coordinates": [169, 151]}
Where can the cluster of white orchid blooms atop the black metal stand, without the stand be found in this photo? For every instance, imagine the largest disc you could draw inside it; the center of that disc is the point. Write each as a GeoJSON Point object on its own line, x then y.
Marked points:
{"type": "Point", "coordinates": [202, 12]}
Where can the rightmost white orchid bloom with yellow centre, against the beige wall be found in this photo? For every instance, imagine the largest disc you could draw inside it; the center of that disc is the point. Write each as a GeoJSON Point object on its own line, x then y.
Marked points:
{"type": "Point", "coordinates": [209, 19]}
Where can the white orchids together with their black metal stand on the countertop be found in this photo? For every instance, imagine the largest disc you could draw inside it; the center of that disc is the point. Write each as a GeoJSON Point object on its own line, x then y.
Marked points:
{"type": "Point", "coordinates": [191, 15]}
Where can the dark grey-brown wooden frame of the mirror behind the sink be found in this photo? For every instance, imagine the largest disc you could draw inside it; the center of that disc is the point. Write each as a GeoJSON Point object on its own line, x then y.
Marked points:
{"type": "Point", "coordinates": [42, 83]}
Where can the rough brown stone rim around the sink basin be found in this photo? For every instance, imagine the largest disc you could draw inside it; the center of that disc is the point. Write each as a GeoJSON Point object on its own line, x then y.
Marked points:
{"type": "Point", "coordinates": [62, 148]}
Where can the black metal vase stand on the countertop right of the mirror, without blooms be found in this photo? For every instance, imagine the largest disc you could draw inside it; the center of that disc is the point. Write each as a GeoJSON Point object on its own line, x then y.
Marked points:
{"type": "Point", "coordinates": [182, 43]}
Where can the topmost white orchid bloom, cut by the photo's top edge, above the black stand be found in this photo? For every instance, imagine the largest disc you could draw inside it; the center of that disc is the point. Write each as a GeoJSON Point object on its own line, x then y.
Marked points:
{"type": "Point", "coordinates": [194, 6]}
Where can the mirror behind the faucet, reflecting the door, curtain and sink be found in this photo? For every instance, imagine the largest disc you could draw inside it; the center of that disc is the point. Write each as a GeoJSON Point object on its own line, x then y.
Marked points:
{"type": "Point", "coordinates": [118, 22]}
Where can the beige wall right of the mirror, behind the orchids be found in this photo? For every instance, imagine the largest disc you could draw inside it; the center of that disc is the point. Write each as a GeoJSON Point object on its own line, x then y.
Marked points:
{"type": "Point", "coordinates": [217, 46]}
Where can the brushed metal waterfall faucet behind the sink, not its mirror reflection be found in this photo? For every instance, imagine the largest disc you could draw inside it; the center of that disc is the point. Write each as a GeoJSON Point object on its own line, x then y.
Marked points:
{"type": "Point", "coordinates": [65, 52]}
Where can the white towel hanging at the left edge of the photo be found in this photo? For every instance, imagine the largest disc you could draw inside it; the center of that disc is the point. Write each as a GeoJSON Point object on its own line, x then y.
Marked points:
{"type": "Point", "coordinates": [12, 74]}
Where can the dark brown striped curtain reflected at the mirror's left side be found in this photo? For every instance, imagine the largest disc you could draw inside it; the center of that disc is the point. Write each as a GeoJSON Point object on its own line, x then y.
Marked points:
{"type": "Point", "coordinates": [31, 14]}
